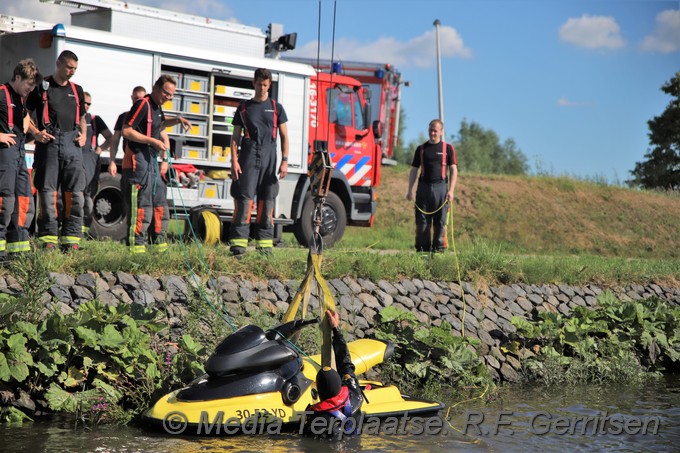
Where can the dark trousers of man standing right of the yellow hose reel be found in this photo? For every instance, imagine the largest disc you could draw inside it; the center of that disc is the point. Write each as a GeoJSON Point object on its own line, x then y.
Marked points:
{"type": "Point", "coordinates": [258, 179]}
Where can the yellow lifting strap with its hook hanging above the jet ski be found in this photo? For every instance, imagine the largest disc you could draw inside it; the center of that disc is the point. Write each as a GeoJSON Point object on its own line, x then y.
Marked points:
{"type": "Point", "coordinates": [319, 175]}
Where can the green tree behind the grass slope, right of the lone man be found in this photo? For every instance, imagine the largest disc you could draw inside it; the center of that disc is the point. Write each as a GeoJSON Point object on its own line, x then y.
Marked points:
{"type": "Point", "coordinates": [479, 150]}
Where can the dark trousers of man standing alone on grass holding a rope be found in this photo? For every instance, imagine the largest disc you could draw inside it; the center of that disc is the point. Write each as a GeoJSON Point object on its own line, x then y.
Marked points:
{"type": "Point", "coordinates": [431, 228]}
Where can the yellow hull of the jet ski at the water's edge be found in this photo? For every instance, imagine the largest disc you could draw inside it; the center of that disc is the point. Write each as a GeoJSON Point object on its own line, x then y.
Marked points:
{"type": "Point", "coordinates": [197, 409]}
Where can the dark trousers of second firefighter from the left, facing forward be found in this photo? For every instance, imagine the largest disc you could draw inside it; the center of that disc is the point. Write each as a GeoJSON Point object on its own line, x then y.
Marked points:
{"type": "Point", "coordinates": [58, 166]}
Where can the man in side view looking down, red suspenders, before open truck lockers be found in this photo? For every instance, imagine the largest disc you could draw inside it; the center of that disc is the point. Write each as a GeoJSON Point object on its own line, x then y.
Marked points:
{"type": "Point", "coordinates": [146, 141]}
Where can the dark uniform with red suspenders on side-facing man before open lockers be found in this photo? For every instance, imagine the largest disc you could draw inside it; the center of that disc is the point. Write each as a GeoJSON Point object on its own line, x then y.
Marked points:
{"type": "Point", "coordinates": [145, 188]}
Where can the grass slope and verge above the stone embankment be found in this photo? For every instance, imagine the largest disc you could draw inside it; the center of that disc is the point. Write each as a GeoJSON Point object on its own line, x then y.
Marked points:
{"type": "Point", "coordinates": [505, 230]}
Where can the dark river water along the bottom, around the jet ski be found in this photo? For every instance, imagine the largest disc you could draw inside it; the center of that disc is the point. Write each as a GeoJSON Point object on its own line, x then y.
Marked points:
{"type": "Point", "coordinates": [529, 418]}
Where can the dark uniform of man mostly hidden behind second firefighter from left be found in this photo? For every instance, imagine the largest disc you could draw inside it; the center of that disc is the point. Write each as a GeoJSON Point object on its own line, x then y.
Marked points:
{"type": "Point", "coordinates": [95, 126]}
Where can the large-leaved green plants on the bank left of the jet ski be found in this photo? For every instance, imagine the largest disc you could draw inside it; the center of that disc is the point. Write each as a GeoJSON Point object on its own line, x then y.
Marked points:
{"type": "Point", "coordinates": [101, 363]}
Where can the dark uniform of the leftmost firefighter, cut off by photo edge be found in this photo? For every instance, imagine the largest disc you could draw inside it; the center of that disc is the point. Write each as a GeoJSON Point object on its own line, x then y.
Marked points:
{"type": "Point", "coordinates": [16, 198]}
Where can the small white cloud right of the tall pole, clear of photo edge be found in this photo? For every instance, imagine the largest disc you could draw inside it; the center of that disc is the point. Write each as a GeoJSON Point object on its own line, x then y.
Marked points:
{"type": "Point", "coordinates": [592, 32]}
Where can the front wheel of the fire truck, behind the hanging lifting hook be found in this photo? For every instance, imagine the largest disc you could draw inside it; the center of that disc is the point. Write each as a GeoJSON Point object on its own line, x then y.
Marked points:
{"type": "Point", "coordinates": [333, 221]}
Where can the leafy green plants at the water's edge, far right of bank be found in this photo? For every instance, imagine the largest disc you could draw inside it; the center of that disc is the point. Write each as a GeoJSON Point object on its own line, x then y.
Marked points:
{"type": "Point", "coordinates": [619, 342]}
